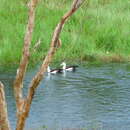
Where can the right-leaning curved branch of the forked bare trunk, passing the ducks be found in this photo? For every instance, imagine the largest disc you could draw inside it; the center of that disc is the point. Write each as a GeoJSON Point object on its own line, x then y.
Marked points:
{"type": "Point", "coordinates": [55, 43]}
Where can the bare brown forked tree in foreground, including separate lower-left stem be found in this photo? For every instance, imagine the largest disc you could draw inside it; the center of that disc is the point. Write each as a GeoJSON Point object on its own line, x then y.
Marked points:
{"type": "Point", "coordinates": [23, 104]}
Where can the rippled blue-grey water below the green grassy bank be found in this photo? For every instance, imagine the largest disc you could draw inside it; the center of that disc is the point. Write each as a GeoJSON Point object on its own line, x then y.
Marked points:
{"type": "Point", "coordinates": [96, 97]}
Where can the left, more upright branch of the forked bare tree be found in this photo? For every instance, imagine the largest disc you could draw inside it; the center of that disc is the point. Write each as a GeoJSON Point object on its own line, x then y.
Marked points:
{"type": "Point", "coordinates": [18, 83]}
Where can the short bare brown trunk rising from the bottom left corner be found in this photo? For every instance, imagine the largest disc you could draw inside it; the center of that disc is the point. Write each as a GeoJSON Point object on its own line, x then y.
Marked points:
{"type": "Point", "coordinates": [4, 122]}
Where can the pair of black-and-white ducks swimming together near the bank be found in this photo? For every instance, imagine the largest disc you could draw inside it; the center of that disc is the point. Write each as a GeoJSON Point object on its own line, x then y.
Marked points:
{"type": "Point", "coordinates": [63, 69]}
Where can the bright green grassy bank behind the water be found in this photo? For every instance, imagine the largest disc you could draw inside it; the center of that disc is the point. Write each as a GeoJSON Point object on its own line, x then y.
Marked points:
{"type": "Point", "coordinates": [99, 31]}
